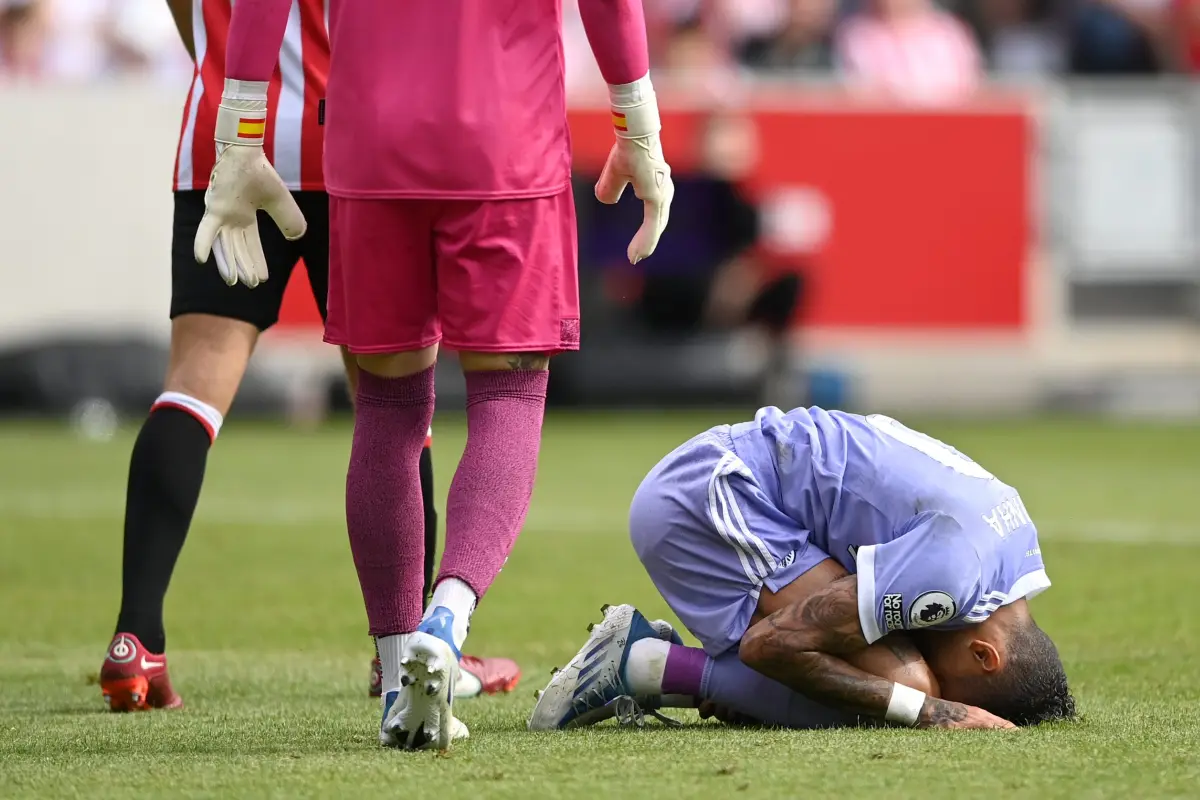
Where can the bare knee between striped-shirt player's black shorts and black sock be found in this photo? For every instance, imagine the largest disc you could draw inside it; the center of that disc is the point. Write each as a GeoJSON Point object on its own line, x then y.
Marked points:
{"type": "Point", "coordinates": [208, 358]}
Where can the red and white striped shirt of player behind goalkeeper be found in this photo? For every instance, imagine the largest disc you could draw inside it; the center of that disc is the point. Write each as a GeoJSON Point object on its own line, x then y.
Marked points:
{"type": "Point", "coordinates": [295, 137]}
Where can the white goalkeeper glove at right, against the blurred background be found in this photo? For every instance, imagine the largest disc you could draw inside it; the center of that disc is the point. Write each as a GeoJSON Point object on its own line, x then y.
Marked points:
{"type": "Point", "coordinates": [638, 159]}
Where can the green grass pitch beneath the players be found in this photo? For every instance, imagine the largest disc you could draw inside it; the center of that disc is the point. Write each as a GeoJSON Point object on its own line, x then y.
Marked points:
{"type": "Point", "coordinates": [267, 631]}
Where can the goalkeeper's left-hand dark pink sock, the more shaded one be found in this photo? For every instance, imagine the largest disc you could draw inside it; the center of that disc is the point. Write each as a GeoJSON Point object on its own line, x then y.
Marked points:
{"type": "Point", "coordinates": [385, 510]}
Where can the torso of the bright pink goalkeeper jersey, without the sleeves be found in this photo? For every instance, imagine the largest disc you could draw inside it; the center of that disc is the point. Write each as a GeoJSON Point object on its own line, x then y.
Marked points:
{"type": "Point", "coordinates": [446, 99]}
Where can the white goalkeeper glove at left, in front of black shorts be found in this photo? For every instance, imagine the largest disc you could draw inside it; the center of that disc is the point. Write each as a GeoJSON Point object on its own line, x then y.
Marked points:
{"type": "Point", "coordinates": [243, 183]}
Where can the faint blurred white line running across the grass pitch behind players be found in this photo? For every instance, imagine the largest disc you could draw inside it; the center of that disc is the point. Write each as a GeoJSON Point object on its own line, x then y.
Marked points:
{"type": "Point", "coordinates": [238, 509]}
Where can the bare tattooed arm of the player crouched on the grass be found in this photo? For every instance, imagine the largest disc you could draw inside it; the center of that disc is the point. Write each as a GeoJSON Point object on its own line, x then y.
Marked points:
{"type": "Point", "coordinates": [805, 647]}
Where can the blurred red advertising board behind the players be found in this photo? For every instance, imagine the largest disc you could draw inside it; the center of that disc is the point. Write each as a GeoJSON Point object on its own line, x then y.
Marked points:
{"type": "Point", "coordinates": [902, 220]}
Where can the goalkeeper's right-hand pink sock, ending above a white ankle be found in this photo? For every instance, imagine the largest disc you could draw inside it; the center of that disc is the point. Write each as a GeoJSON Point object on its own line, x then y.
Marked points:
{"type": "Point", "coordinates": [490, 494]}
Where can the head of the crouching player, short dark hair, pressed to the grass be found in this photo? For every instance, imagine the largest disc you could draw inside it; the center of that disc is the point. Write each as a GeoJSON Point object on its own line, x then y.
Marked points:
{"type": "Point", "coordinates": [1033, 687]}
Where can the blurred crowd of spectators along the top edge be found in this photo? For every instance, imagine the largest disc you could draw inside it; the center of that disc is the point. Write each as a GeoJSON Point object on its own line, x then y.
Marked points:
{"type": "Point", "coordinates": [921, 49]}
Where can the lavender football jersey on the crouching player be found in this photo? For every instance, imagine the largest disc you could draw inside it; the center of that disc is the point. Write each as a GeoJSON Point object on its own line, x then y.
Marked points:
{"type": "Point", "coordinates": [934, 538]}
